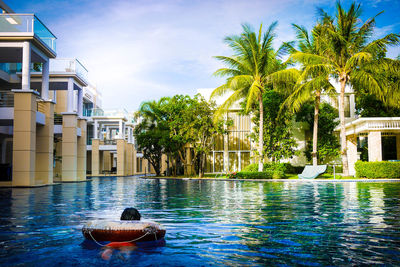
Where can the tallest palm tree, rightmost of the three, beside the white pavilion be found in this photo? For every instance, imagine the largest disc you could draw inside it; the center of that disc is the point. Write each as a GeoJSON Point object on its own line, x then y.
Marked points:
{"type": "Point", "coordinates": [348, 55]}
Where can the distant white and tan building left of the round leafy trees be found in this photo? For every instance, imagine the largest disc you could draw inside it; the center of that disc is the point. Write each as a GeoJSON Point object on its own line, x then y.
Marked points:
{"type": "Point", "coordinates": [112, 150]}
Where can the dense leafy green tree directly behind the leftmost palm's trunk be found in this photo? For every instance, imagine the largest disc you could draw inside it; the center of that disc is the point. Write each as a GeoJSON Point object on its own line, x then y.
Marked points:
{"type": "Point", "coordinates": [278, 140]}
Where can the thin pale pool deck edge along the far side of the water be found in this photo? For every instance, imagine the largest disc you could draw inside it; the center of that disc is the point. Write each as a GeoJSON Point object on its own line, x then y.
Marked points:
{"type": "Point", "coordinates": [283, 180]}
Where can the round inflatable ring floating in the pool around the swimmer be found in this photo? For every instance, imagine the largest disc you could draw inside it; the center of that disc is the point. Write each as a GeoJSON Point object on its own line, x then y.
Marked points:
{"type": "Point", "coordinates": [123, 231]}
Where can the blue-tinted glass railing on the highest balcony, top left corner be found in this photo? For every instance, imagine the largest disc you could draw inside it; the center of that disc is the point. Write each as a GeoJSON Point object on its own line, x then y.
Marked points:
{"type": "Point", "coordinates": [26, 25]}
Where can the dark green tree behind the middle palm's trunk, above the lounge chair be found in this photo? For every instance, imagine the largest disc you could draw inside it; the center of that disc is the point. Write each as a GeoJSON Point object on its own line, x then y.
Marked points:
{"type": "Point", "coordinates": [328, 143]}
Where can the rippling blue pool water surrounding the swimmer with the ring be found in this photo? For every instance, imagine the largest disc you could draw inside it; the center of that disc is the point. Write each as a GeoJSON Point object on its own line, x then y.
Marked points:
{"type": "Point", "coordinates": [208, 222]}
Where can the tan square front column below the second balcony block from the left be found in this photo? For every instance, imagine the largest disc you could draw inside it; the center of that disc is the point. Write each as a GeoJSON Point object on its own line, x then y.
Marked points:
{"type": "Point", "coordinates": [69, 148]}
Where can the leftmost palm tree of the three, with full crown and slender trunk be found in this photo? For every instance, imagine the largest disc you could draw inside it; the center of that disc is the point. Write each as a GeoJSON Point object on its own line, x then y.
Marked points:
{"type": "Point", "coordinates": [248, 72]}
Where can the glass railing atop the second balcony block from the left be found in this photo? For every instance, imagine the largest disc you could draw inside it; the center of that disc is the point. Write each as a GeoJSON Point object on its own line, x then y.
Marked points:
{"type": "Point", "coordinates": [70, 66]}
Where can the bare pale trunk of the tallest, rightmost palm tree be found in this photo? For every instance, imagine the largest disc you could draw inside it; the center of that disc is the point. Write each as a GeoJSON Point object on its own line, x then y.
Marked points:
{"type": "Point", "coordinates": [343, 141]}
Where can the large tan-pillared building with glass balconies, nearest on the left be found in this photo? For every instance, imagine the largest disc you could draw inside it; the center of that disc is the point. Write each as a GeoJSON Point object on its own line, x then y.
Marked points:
{"type": "Point", "coordinates": [45, 103]}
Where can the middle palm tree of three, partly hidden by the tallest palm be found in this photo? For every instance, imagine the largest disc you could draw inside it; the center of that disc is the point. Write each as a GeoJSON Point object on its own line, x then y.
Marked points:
{"type": "Point", "coordinates": [307, 85]}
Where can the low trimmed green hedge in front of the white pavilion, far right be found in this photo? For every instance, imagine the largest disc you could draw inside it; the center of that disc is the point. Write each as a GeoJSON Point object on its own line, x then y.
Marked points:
{"type": "Point", "coordinates": [378, 169]}
